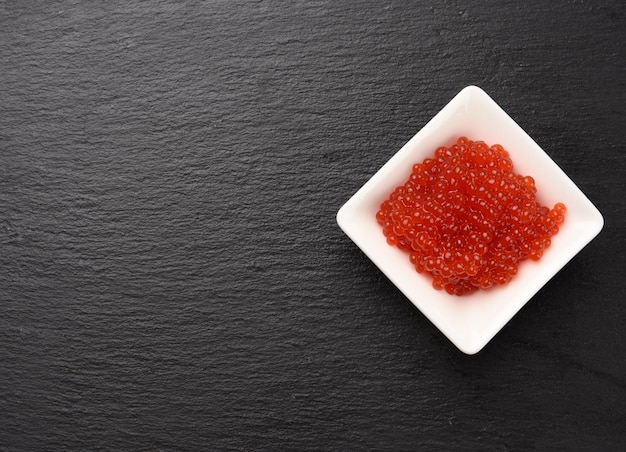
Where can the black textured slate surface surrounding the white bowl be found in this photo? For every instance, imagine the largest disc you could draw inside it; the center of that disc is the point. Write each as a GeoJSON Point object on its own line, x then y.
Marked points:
{"type": "Point", "coordinates": [171, 273]}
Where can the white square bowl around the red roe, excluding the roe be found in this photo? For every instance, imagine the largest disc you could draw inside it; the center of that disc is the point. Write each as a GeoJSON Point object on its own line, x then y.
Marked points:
{"type": "Point", "coordinates": [471, 321]}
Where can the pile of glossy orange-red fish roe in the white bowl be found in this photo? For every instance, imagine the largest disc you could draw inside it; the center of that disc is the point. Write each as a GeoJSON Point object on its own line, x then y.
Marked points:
{"type": "Point", "coordinates": [467, 219]}
